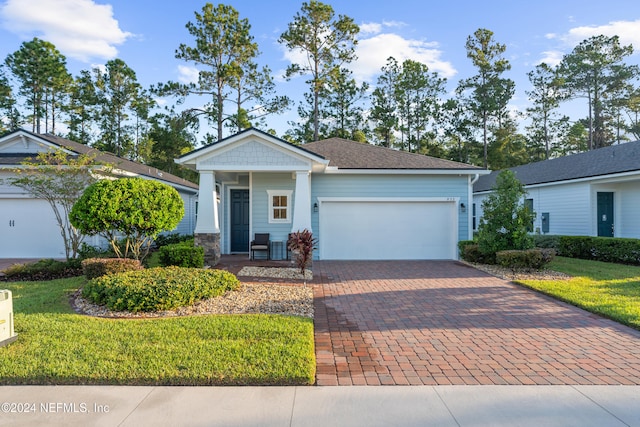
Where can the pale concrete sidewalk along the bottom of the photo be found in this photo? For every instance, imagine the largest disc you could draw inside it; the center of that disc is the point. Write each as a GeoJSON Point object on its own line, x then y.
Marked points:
{"type": "Point", "coordinates": [321, 406]}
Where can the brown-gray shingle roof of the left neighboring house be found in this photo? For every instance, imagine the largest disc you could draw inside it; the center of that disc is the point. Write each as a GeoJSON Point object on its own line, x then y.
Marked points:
{"type": "Point", "coordinates": [102, 157]}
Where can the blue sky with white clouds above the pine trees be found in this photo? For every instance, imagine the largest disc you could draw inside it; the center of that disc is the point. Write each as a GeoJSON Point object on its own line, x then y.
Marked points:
{"type": "Point", "coordinates": [146, 33]}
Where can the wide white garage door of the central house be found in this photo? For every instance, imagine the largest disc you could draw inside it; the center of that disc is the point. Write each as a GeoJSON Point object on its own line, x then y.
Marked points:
{"type": "Point", "coordinates": [380, 230]}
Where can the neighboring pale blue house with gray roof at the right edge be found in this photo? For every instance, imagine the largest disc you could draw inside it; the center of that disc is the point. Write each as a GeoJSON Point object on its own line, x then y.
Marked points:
{"type": "Point", "coordinates": [596, 193]}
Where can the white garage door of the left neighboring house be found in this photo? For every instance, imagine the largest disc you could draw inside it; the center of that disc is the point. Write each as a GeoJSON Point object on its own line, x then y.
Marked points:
{"type": "Point", "coordinates": [28, 229]}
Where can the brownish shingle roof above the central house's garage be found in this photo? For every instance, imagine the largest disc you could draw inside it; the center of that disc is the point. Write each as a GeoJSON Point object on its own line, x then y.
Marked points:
{"type": "Point", "coordinates": [345, 154]}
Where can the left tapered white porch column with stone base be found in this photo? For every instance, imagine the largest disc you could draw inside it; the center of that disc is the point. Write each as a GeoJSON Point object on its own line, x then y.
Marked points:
{"type": "Point", "coordinates": [207, 232]}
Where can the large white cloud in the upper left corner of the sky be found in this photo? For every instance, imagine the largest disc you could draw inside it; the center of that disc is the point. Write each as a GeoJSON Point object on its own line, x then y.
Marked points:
{"type": "Point", "coordinates": [79, 29]}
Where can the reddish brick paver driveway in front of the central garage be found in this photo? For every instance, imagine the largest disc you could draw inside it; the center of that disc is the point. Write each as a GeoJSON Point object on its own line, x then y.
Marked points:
{"type": "Point", "coordinates": [441, 322]}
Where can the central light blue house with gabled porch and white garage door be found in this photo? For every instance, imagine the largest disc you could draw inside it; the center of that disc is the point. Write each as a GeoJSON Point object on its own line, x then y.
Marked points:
{"type": "Point", "coordinates": [362, 202]}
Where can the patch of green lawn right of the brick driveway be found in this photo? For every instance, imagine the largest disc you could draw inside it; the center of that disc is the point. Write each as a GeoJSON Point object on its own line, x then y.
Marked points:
{"type": "Point", "coordinates": [612, 290]}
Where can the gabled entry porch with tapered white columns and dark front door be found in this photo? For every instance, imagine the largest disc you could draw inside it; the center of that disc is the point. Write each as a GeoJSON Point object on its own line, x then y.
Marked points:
{"type": "Point", "coordinates": [251, 180]}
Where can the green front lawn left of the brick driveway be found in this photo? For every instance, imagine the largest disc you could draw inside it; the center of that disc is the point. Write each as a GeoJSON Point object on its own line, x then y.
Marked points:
{"type": "Point", "coordinates": [58, 346]}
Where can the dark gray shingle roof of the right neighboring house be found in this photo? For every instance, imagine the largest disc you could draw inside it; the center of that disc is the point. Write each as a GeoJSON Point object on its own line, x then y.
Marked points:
{"type": "Point", "coordinates": [603, 161]}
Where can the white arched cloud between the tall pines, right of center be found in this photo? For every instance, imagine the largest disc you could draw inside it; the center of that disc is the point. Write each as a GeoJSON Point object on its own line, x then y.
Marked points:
{"type": "Point", "coordinates": [373, 53]}
